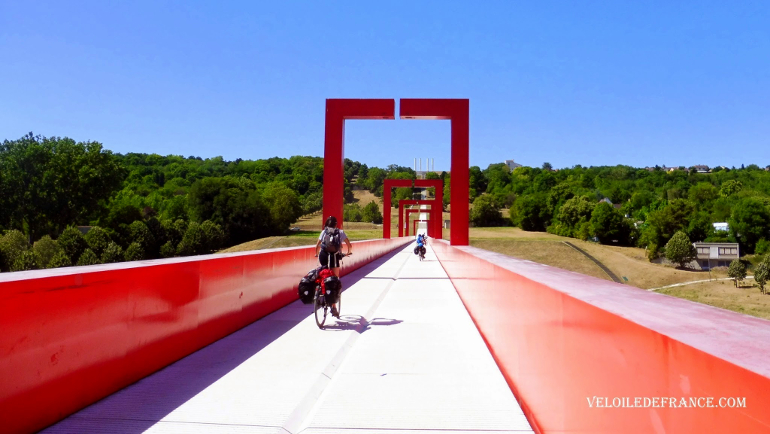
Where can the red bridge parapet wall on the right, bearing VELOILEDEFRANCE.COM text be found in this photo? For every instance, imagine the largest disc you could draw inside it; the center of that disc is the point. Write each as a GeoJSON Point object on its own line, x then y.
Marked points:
{"type": "Point", "coordinates": [562, 338]}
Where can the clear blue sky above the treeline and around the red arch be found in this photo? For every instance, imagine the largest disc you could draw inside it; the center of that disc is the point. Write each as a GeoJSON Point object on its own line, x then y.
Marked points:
{"type": "Point", "coordinates": [591, 83]}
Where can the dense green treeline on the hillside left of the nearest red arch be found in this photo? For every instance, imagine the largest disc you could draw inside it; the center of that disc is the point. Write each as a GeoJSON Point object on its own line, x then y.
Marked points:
{"type": "Point", "coordinates": [144, 206]}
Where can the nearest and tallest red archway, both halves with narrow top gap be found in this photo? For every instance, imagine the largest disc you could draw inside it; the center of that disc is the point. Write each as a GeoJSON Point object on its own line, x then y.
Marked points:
{"type": "Point", "coordinates": [454, 110]}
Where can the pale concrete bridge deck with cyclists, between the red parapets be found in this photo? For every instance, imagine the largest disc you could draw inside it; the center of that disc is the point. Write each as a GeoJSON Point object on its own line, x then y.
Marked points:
{"type": "Point", "coordinates": [404, 357]}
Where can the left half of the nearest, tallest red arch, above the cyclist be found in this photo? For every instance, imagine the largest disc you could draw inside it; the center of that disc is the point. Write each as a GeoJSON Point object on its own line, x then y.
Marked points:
{"type": "Point", "coordinates": [337, 112]}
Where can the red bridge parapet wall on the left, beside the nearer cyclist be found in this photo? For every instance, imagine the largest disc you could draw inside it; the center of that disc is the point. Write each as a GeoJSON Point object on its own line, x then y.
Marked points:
{"type": "Point", "coordinates": [73, 336]}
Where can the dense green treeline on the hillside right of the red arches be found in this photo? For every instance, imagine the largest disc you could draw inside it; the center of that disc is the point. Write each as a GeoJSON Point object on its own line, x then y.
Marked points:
{"type": "Point", "coordinates": [626, 205]}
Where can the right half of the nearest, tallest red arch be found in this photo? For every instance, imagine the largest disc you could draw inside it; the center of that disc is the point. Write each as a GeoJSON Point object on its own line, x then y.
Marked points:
{"type": "Point", "coordinates": [456, 111]}
